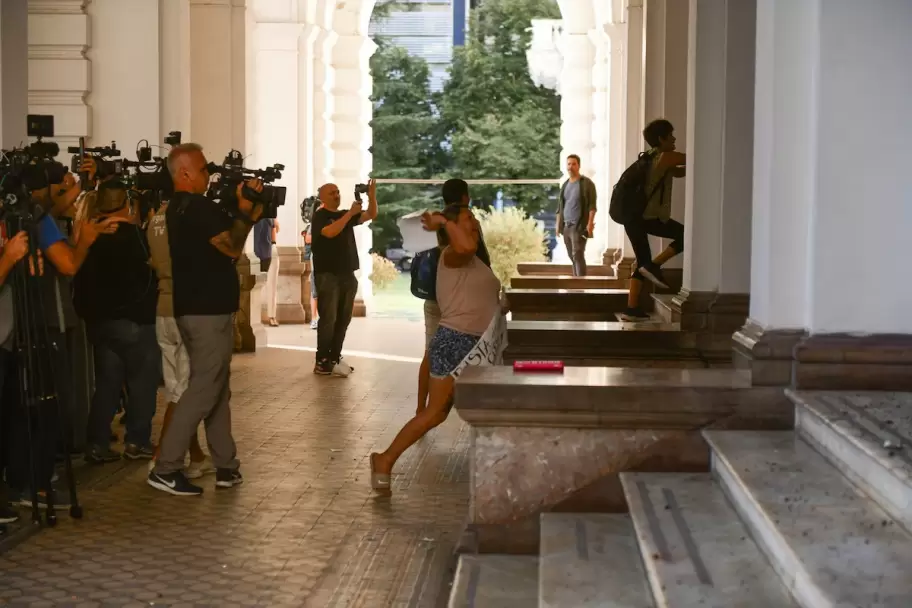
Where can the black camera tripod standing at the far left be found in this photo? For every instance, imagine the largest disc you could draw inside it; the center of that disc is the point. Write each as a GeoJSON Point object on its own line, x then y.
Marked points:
{"type": "Point", "coordinates": [37, 382]}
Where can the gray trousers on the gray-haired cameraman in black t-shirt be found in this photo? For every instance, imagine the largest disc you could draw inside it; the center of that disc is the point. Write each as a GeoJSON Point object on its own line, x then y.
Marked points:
{"type": "Point", "coordinates": [210, 342]}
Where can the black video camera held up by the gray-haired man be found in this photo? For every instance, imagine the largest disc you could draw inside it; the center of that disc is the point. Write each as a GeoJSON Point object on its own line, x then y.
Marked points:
{"type": "Point", "coordinates": [232, 173]}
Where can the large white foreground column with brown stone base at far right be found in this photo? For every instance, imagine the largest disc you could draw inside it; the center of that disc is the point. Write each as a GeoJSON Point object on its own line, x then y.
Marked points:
{"type": "Point", "coordinates": [818, 188]}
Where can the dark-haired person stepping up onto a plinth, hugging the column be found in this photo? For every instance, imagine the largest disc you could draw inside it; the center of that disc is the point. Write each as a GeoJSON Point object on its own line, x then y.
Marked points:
{"type": "Point", "coordinates": [667, 164]}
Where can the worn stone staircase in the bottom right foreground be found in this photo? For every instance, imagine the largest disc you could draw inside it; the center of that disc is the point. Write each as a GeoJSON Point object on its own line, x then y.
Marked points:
{"type": "Point", "coordinates": [819, 516]}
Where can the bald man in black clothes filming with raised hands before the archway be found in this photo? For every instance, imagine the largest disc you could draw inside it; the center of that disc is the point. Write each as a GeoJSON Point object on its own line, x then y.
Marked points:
{"type": "Point", "coordinates": [335, 260]}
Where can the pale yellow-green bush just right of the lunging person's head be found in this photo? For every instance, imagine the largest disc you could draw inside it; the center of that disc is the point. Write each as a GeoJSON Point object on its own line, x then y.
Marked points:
{"type": "Point", "coordinates": [512, 237]}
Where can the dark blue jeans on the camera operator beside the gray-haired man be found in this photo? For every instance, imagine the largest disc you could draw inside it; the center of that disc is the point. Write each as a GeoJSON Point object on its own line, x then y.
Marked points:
{"type": "Point", "coordinates": [125, 352]}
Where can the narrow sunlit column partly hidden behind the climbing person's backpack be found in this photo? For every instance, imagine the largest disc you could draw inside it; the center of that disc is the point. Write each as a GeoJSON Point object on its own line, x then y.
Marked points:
{"type": "Point", "coordinates": [634, 107]}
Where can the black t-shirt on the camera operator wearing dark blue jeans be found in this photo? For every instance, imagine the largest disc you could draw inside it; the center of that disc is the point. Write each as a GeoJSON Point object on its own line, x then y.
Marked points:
{"type": "Point", "coordinates": [116, 281]}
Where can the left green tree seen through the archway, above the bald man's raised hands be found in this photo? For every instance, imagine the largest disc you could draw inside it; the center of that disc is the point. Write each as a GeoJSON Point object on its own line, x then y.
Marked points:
{"type": "Point", "coordinates": [405, 140]}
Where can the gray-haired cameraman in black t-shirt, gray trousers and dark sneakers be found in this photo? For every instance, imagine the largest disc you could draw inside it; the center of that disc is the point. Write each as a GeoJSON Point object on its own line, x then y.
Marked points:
{"type": "Point", "coordinates": [205, 243]}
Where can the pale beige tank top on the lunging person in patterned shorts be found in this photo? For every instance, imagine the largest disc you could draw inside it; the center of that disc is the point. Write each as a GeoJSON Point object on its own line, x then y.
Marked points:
{"type": "Point", "coordinates": [468, 296]}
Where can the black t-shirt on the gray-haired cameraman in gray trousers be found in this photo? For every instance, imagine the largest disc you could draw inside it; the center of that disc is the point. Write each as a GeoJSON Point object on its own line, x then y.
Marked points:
{"type": "Point", "coordinates": [205, 279]}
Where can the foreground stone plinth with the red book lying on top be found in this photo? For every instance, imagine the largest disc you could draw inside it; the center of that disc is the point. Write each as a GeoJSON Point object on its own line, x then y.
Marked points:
{"type": "Point", "coordinates": [552, 442]}
